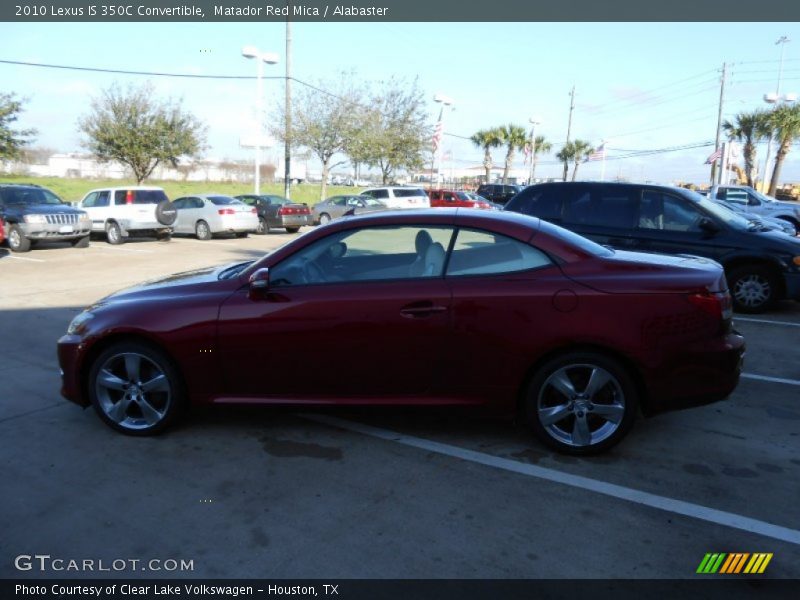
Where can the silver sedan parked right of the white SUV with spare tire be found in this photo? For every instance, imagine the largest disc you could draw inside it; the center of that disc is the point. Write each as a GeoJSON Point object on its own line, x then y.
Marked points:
{"type": "Point", "coordinates": [206, 215]}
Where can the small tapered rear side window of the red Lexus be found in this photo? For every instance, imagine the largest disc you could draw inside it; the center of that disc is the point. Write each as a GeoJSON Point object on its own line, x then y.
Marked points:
{"type": "Point", "coordinates": [482, 253]}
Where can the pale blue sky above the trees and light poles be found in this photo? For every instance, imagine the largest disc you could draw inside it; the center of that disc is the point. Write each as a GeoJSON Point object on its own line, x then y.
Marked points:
{"type": "Point", "coordinates": [641, 86]}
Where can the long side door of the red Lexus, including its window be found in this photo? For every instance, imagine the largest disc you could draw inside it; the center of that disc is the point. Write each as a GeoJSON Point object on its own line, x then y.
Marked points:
{"type": "Point", "coordinates": [344, 318]}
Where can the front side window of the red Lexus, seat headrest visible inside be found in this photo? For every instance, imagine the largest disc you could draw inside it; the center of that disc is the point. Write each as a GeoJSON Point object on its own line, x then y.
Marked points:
{"type": "Point", "coordinates": [367, 254]}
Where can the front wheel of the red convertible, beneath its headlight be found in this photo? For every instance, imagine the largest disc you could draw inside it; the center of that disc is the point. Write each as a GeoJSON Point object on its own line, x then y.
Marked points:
{"type": "Point", "coordinates": [135, 388]}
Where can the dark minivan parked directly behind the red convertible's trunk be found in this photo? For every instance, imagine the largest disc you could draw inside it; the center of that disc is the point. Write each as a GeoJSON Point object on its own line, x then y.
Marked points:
{"type": "Point", "coordinates": [761, 265]}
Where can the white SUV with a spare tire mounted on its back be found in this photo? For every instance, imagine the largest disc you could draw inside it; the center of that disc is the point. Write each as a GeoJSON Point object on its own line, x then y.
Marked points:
{"type": "Point", "coordinates": [121, 212]}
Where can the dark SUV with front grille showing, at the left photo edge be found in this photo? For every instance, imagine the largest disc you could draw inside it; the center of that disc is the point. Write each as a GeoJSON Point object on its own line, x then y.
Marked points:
{"type": "Point", "coordinates": [30, 214]}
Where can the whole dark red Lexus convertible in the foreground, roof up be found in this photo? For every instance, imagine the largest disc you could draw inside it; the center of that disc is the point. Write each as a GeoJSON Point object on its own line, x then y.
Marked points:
{"type": "Point", "coordinates": [482, 309]}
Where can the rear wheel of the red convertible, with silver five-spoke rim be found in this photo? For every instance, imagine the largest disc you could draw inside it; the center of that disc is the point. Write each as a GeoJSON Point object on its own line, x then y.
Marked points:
{"type": "Point", "coordinates": [559, 400]}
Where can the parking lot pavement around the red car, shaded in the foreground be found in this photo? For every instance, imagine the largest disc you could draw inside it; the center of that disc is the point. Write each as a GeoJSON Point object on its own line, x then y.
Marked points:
{"type": "Point", "coordinates": [275, 493]}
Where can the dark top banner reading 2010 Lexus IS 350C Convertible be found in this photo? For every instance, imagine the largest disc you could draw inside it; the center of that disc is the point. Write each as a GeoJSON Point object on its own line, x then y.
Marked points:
{"type": "Point", "coordinates": [398, 10]}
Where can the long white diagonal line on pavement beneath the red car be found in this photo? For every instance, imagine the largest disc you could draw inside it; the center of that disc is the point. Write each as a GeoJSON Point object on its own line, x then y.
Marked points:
{"type": "Point", "coordinates": [680, 507]}
